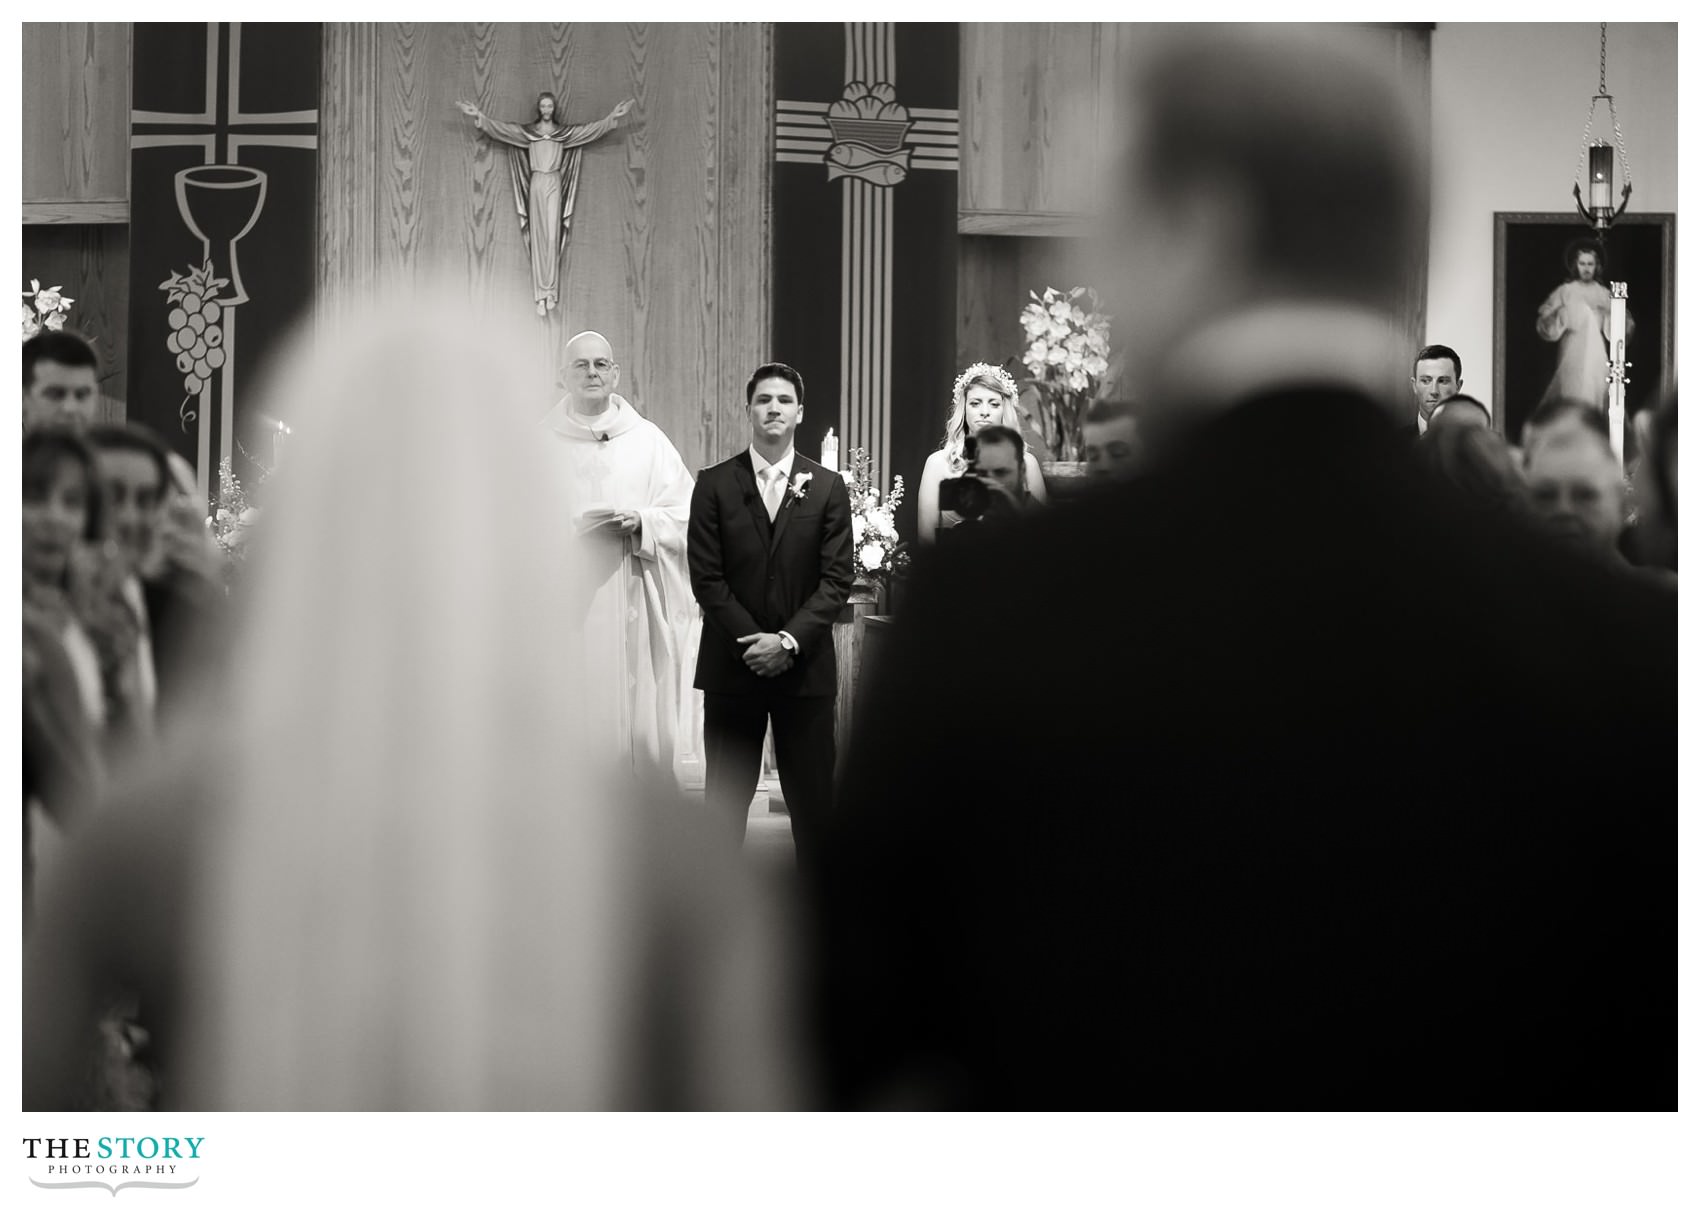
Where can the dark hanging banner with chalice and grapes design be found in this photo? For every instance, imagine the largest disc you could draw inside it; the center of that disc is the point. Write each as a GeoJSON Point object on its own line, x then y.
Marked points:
{"type": "Point", "coordinates": [222, 230]}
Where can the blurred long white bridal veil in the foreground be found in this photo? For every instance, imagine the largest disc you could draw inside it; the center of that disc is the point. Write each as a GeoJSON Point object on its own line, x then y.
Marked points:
{"type": "Point", "coordinates": [414, 871]}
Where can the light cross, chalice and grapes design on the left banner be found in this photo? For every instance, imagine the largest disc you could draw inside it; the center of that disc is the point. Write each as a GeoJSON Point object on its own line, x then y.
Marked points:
{"type": "Point", "coordinates": [218, 203]}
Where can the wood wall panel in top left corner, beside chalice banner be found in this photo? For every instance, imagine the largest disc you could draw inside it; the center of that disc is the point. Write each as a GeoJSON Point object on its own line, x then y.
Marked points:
{"type": "Point", "coordinates": [76, 121]}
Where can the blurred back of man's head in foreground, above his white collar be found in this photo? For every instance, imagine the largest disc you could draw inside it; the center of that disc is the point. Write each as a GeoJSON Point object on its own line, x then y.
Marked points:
{"type": "Point", "coordinates": [1261, 166]}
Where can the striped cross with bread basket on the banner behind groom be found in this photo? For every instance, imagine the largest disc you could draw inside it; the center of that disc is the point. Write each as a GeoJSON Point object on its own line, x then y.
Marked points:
{"type": "Point", "coordinates": [870, 142]}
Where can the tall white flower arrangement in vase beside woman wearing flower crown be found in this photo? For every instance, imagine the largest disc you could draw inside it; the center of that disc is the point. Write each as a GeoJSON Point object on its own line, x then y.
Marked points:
{"type": "Point", "coordinates": [1068, 358]}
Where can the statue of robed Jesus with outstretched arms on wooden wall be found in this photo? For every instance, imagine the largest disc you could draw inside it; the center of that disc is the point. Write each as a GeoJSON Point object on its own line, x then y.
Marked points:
{"type": "Point", "coordinates": [545, 167]}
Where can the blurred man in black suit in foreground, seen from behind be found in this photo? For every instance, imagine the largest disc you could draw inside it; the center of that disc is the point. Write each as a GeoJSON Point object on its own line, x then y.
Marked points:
{"type": "Point", "coordinates": [1225, 869]}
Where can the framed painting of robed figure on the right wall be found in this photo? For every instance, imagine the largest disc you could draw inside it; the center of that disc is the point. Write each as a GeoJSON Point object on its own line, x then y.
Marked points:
{"type": "Point", "coordinates": [1551, 293]}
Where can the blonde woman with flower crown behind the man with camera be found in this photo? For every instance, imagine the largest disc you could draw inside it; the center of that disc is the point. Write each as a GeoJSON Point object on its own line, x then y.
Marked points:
{"type": "Point", "coordinates": [982, 397]}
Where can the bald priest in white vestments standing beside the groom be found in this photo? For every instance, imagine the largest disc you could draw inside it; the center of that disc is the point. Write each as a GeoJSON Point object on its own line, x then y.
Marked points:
{"type": "Point", "coordinates": [630, 495]}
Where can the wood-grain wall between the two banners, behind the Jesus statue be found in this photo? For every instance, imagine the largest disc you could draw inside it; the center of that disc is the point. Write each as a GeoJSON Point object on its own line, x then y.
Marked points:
{"type": "Point", "coordinates": [669, 252]}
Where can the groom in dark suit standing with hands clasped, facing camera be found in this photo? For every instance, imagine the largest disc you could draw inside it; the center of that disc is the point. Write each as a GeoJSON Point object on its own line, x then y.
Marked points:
{"type": "Point", "coordinates": [771, 563]}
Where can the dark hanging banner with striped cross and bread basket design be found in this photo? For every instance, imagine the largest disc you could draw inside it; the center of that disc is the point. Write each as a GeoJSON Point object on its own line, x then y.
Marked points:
{"type": "Point", "coordinates": [864, 235]}
